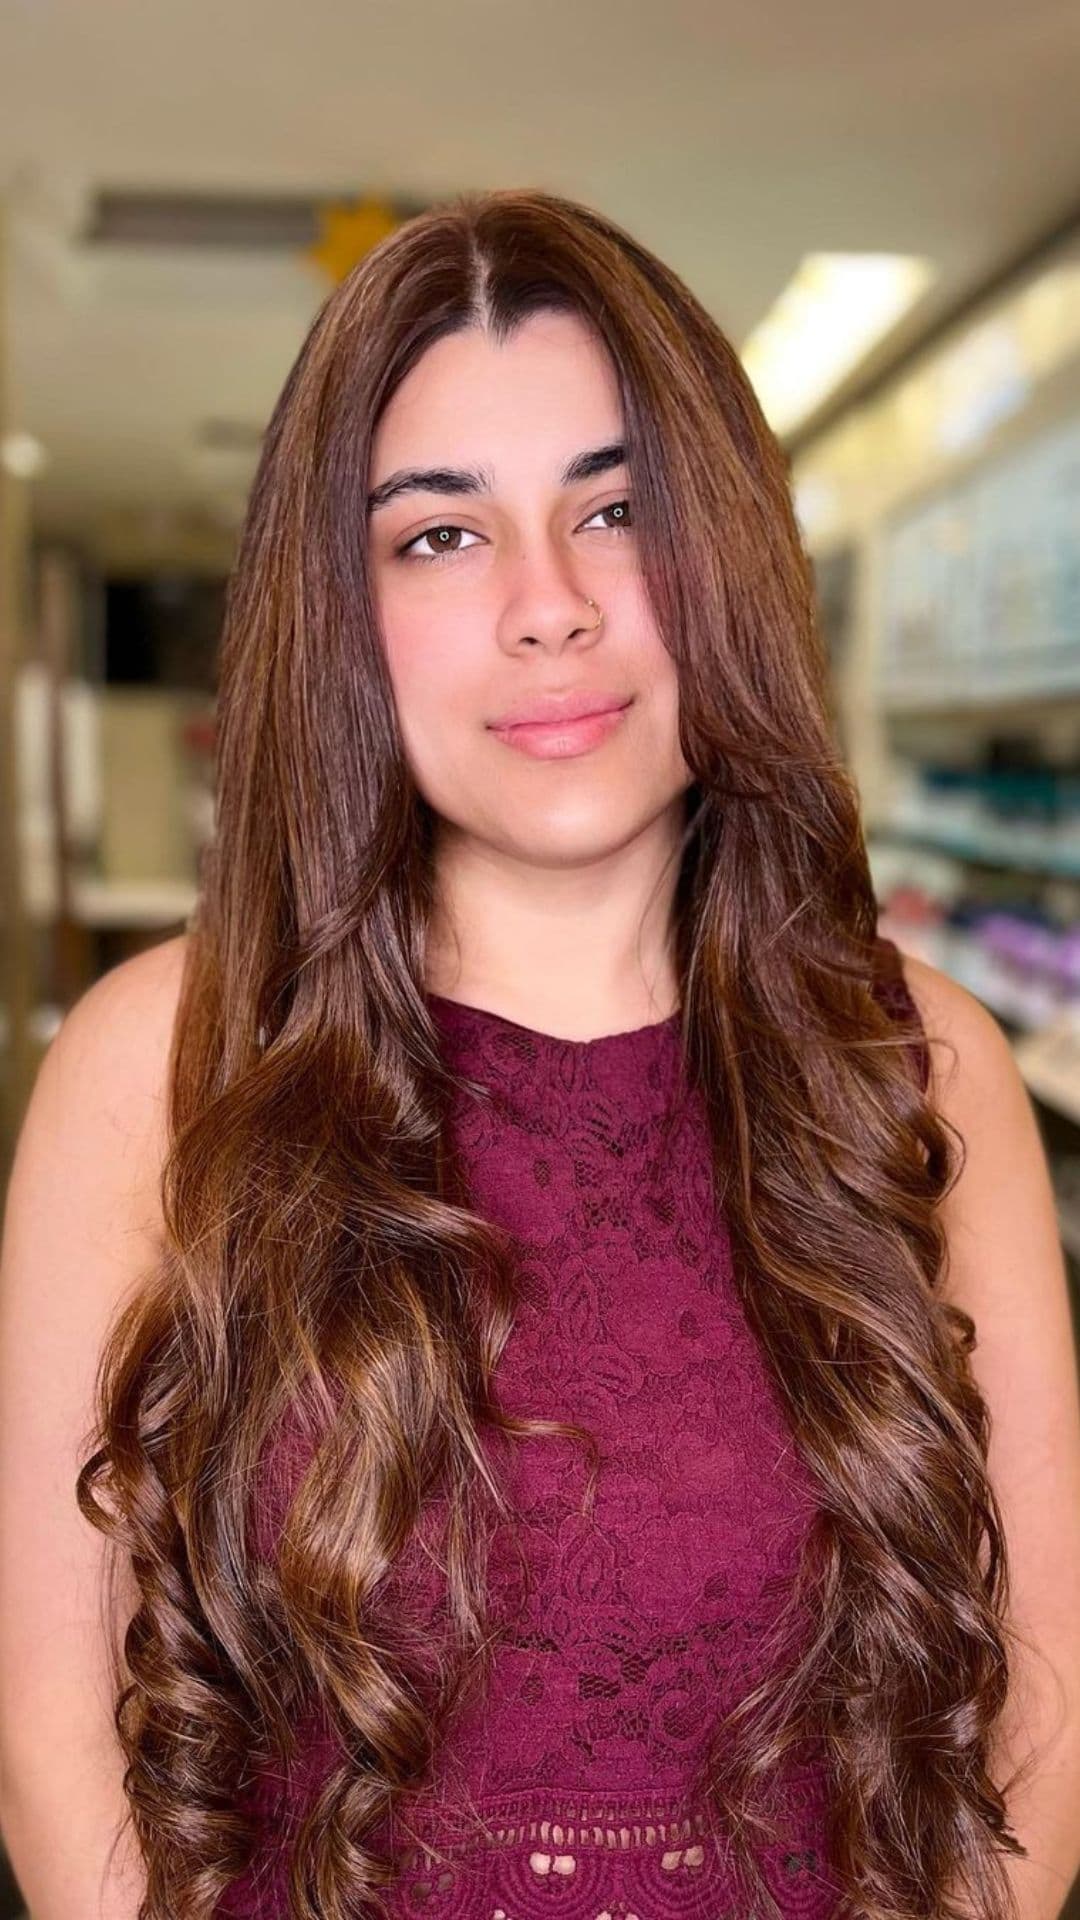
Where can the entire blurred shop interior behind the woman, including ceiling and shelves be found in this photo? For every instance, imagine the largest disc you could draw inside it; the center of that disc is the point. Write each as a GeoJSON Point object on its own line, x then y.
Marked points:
{"type": "Point", "coordinates": [879, 206]}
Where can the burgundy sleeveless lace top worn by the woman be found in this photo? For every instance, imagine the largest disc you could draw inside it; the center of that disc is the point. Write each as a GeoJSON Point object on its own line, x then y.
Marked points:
{"type": "Point", "coordinates": [566, 1790]}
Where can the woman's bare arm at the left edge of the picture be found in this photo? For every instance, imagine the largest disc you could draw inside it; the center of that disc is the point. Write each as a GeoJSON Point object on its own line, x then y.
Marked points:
{"type": "Point", "coordinates": [82, 1228]}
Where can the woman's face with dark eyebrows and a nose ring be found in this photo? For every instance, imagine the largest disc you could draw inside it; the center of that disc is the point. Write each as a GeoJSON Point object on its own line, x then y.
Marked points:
{"type": "Point", "coordinates": [483, 562]}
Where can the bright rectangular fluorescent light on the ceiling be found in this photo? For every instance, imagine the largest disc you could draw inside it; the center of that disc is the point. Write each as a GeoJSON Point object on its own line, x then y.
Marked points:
{"type": "Point", "coordinates": [833, 312]}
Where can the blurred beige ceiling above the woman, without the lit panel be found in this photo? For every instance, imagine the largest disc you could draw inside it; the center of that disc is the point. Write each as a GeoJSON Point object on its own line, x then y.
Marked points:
{"type": "Point", "coordinates": [731, 137]}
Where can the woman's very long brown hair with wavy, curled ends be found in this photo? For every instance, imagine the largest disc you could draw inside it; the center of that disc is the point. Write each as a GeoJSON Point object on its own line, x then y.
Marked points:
{"type": "Point", "coordinates": [320, 1266]}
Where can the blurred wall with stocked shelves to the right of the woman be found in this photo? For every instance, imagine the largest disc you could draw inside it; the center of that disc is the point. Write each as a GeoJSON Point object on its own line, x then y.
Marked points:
{"type": "Point", "coordinates": [945, 519]}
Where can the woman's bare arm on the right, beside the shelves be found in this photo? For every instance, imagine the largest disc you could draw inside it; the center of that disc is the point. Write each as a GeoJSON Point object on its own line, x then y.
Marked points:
{"type": "Point", "coordinates": [1008, 1272]}
